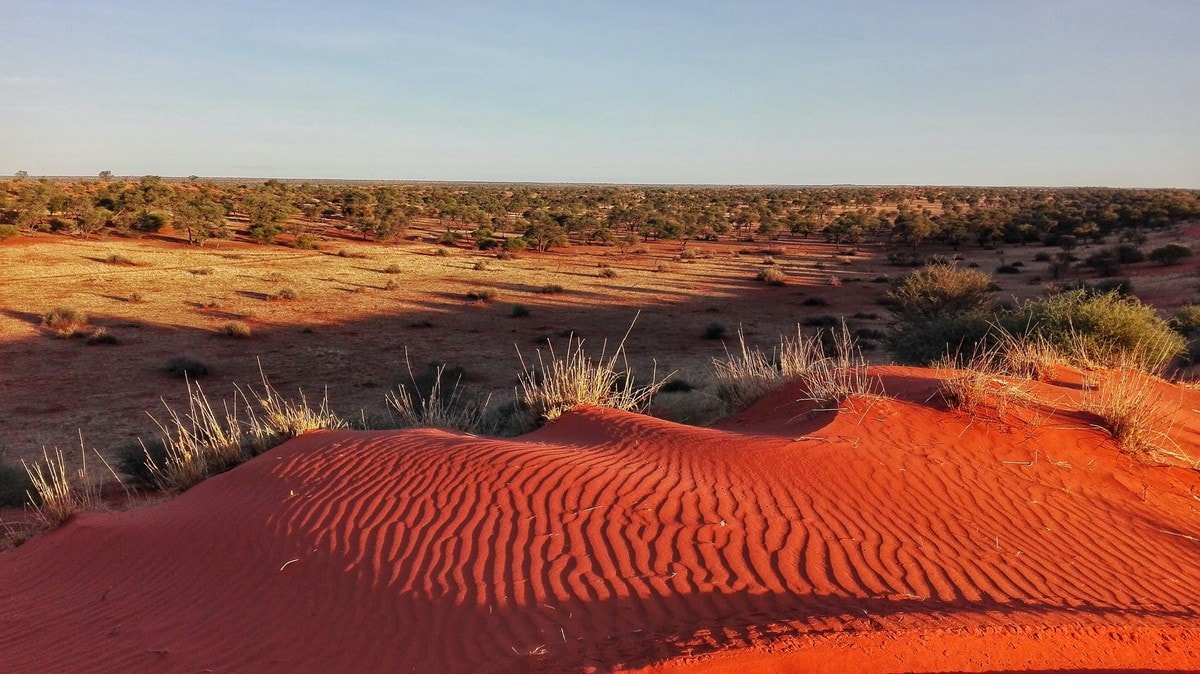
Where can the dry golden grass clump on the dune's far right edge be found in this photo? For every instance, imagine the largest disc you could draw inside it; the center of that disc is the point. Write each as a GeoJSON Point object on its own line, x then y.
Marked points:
{"type": "Point", "coordinates": [1129, 404]}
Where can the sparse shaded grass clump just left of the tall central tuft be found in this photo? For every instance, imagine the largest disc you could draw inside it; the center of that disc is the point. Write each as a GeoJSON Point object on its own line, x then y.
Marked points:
{"type": "Point", "coordinates": [437, 405]}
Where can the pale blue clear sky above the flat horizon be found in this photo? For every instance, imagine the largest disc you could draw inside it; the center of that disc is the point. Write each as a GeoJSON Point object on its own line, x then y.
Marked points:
{"type": "Point", "coordinates": [1033, 93]}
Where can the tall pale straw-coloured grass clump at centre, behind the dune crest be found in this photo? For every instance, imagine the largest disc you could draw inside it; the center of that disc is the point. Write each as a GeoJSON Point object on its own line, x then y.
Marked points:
{"type": "Point", "coordinates": [563, 383]}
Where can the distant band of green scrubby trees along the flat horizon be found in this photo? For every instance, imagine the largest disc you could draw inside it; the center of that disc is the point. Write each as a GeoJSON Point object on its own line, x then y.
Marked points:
{"type": "Point", "coordinates": [548, 216]}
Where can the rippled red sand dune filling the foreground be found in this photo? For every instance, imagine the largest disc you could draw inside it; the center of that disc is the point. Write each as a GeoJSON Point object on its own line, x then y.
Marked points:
{"type": "Point", "coordinates": [898, 538]}
